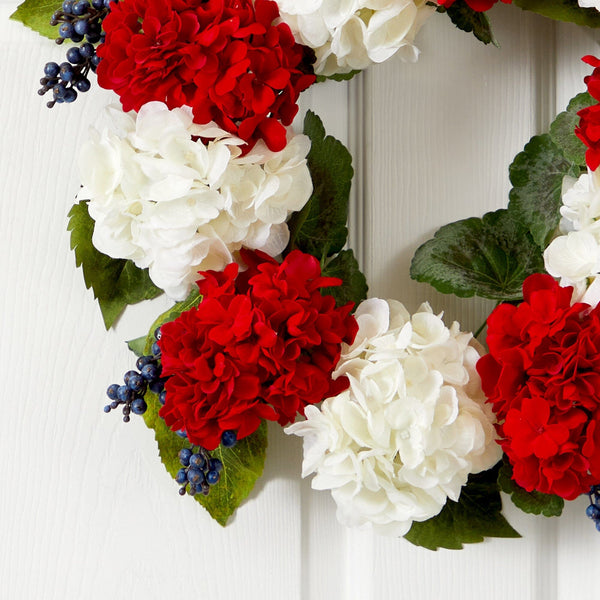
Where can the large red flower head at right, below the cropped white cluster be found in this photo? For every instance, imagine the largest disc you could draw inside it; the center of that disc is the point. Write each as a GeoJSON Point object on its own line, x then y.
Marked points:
{"type": "Point", "coordinates": [542, 376]}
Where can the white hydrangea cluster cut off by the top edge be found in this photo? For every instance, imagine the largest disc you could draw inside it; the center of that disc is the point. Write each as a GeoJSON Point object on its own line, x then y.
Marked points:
{"type": "Point", "coordinates": [352, 34]}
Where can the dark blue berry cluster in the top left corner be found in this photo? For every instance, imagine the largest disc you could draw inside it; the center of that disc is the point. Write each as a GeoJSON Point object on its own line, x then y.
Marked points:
{"type": "Point", "coordinates": [77, 20]}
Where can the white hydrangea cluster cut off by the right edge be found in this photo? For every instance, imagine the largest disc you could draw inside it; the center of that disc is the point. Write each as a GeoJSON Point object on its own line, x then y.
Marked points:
{"type": "Point", "coordinates": [574, 256]}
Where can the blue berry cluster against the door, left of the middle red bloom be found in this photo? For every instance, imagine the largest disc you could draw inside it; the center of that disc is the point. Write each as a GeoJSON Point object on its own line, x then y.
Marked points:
{"type": "Point", "coordinates": [135, 384]}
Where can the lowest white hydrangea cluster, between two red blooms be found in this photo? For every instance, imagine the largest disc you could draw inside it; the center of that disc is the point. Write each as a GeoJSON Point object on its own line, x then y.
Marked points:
{"type": "Point", "coordinates": [409, 430]}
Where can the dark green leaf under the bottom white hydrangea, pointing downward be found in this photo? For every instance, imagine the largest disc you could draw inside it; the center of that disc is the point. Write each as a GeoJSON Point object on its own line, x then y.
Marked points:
{"type": "Point", "coordinates": [476, 515]}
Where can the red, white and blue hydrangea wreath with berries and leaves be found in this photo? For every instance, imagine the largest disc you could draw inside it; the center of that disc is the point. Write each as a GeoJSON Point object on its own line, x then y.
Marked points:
{"type": "Point", "coordinates": [201, 189]}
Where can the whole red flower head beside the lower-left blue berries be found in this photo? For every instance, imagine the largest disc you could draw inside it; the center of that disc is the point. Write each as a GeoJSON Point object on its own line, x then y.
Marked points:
{"type": "Point", "coordinates": [262, 344]}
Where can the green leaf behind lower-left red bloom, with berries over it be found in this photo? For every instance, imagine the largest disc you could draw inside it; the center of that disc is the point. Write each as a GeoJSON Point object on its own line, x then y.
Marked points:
{"type": "Point", "coordinates": [242, 465]}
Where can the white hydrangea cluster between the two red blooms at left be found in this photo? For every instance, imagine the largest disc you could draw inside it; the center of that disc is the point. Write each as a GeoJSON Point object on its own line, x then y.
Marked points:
{"type": "Point", "coordinates": [175, 205]}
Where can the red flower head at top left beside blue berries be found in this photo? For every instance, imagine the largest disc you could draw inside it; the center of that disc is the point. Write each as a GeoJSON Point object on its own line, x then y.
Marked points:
{"type": "Point", "coordinates": [224, 58]}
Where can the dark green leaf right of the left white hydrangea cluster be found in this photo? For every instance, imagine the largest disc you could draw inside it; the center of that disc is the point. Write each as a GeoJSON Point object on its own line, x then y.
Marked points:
{"type": "Point", "coordinates": [320, 227]}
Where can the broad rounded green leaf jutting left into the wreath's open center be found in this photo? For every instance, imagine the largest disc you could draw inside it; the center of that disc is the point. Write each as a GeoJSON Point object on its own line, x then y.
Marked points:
{"type": "Point", "coordinates": [488, 257]}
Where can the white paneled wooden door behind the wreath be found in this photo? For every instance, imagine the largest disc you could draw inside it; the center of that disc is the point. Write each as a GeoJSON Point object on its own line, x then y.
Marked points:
{"type": "Point", "coordinates": [87, 510]}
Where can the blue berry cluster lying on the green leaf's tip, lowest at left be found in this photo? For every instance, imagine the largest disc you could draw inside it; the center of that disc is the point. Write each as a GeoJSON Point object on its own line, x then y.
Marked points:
{"type": "Point", "coordinates": [200, 471]}
